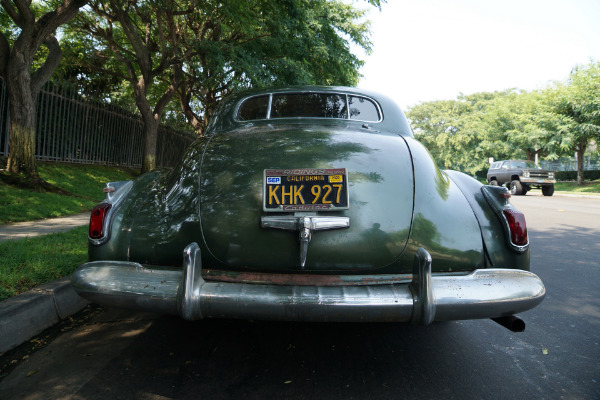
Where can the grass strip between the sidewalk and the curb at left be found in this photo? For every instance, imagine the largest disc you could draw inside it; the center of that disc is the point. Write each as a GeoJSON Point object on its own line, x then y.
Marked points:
{"type": "Point", "coordinates": [30, 262]}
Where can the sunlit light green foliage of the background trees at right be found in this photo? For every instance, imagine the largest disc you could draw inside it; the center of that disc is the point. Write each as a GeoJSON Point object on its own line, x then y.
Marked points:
{"type": "Point", "coordinates": [462, 134]}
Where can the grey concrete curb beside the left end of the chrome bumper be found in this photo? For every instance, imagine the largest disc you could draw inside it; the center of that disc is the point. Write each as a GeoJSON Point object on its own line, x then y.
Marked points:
{"type": "Point", "coordinates": [28, 314]}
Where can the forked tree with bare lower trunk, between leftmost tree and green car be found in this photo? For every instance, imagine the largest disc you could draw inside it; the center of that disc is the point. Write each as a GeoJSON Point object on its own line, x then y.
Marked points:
{"type": "Point", "coordinates": [147, 39]}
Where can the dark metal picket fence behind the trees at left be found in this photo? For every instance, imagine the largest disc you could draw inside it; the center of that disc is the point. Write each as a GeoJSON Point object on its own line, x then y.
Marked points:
{"type": "Point", "coordinates": [73, 129]}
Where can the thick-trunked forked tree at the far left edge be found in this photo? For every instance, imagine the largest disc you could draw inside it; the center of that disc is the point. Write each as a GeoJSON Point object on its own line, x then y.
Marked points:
{"type": "Point", "coordinates": [17, 55]}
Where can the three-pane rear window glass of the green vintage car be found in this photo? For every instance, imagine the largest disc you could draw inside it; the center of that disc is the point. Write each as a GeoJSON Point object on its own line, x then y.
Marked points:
{"type": "Point", "coordinates": [309, 105]}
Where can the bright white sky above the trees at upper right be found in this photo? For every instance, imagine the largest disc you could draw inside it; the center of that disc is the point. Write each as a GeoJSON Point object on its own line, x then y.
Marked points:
{"type": "Point", "coordinates": [425, 50]}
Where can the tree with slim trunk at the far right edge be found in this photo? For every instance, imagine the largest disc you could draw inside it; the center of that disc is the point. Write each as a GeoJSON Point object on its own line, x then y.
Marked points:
{"type": "Point", "coordinates": [578, 105]}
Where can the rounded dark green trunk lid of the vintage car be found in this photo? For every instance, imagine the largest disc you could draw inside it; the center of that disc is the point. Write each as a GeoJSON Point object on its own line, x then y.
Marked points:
{"type": "Point", "coordinates": [380, 185]}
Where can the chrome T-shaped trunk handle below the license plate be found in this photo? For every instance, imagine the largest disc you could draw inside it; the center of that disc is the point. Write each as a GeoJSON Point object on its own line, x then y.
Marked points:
{"type": "Point", "coordinates": [305, 225]}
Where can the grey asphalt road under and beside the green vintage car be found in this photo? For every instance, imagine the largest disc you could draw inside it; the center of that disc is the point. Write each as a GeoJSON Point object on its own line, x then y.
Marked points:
{"type": "Point", "coordinates": [122, 355]}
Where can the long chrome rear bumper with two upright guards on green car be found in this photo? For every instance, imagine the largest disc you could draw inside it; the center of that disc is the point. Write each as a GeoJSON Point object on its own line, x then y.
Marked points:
{"type": "Point", "coordinates": [483, 293]}
